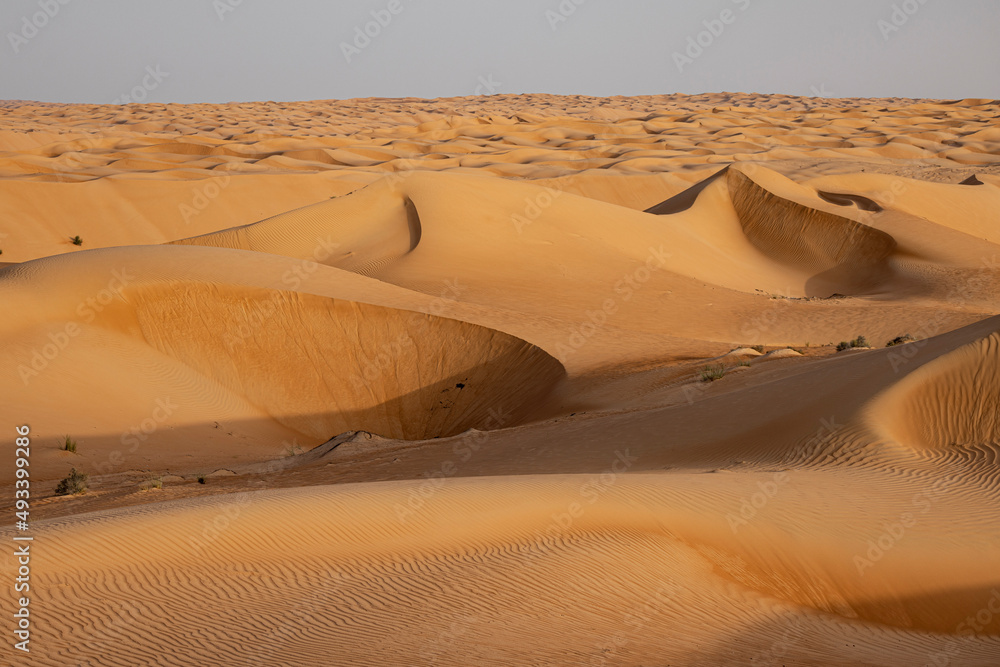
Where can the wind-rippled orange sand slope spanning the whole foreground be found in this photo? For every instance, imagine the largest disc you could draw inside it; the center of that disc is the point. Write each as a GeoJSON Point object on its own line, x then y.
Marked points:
{"type": "Point", "coordinates": [608, 564]}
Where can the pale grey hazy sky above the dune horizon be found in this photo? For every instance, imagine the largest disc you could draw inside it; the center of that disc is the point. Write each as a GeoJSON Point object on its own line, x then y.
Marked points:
{"type": "Point", "coordinates": [105, 51]}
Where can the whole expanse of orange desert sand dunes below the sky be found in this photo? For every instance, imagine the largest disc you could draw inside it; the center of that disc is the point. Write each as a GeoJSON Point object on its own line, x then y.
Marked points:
{"type": "Point", "coordinates": [508, 380]}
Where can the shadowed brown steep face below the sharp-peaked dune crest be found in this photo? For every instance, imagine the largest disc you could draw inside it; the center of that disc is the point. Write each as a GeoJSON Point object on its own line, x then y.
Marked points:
{"type": "Point", "coordinates": [843, 252]}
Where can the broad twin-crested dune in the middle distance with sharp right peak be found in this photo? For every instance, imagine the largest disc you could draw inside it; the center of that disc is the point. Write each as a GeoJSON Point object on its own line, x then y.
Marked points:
{"type": "Point", "coordinates": [590, 281]}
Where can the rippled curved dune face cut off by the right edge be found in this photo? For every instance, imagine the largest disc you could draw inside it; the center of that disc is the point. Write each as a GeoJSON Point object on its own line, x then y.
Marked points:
{"type": "Point", "coordinates": [952, 403]}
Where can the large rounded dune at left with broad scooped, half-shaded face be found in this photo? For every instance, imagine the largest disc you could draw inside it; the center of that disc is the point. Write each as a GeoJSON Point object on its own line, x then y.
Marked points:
{"type": "Point", "coordinates": [217, 340]}
